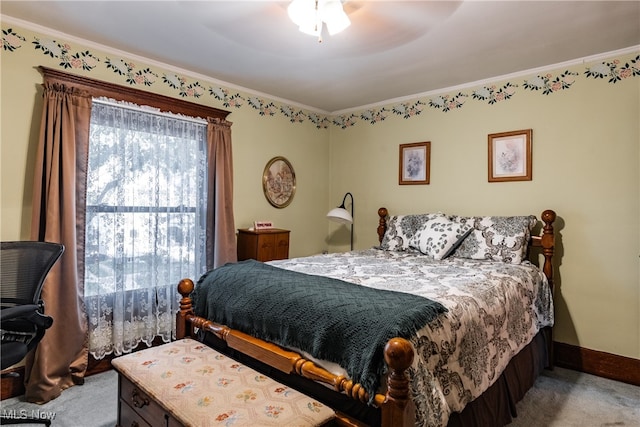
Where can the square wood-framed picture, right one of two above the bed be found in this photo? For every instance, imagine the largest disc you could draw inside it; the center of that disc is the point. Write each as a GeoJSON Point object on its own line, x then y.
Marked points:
{"type": "Point", "coordinates": [510, 156]}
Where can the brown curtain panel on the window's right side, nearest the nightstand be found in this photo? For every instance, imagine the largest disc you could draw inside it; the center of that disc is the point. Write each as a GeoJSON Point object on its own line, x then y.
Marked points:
{"type": "Point", "coordinates": [221, 237]}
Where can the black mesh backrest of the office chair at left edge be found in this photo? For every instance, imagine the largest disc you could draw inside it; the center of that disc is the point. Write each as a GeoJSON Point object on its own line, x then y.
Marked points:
{"type": "Point", "coordinates": [23, 267]}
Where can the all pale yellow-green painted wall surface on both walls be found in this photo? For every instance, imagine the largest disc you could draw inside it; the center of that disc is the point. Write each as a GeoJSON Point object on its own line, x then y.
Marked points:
{"type": "Point", "coordinates": [586, 159]}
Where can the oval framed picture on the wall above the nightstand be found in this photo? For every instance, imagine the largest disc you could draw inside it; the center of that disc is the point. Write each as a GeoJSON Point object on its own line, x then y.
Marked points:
{"type": "Point", "coordinates": [279, 182]}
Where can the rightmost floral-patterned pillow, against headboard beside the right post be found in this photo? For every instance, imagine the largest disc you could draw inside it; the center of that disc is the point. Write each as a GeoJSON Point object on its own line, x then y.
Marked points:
{"type": "Point", "coordinates": [498, 238]}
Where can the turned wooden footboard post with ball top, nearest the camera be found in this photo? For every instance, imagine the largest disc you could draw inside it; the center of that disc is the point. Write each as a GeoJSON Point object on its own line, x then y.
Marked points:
{"type": "Point", "coordinates": [398, 353]}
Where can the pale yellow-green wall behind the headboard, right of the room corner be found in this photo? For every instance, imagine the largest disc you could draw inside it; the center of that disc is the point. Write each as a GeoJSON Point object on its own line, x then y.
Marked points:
{"type": "Point", "coordinates": [585, 167]}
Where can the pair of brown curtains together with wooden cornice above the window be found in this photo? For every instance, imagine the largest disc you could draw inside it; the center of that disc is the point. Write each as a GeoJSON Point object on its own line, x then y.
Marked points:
{"type": "Point", "coordinates": [59, 205]}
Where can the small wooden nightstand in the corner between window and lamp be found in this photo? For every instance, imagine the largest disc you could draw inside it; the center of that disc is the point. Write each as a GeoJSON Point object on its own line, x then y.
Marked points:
{"type": "Point", "coordinates": [263, 245]}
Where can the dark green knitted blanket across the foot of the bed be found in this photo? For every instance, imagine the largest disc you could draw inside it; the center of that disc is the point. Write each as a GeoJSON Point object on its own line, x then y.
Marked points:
{"type": "Point", "coordinates": [328, 318]}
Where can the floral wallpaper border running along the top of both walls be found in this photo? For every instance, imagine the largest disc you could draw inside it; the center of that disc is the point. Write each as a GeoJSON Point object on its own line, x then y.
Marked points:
{"type": "Point", "coordinates": [612, 71]}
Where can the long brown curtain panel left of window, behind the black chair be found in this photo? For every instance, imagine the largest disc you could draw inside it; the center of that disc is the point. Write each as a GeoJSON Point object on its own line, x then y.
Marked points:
{"type": "Point", "coordinates": [61, 358]}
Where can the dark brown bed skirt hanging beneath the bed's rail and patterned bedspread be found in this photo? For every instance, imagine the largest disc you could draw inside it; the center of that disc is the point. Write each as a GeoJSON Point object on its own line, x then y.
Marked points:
{"type": "Point", "coordinates": [495, 407]}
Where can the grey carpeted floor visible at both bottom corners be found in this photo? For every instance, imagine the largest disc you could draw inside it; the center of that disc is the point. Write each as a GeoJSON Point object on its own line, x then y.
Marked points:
{"type": "Point", "coordinates": [560, 398]}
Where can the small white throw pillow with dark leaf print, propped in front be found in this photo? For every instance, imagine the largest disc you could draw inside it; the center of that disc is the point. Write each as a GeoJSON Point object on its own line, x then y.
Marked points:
{"type": "Point", "coordinates": [438, 237]}
